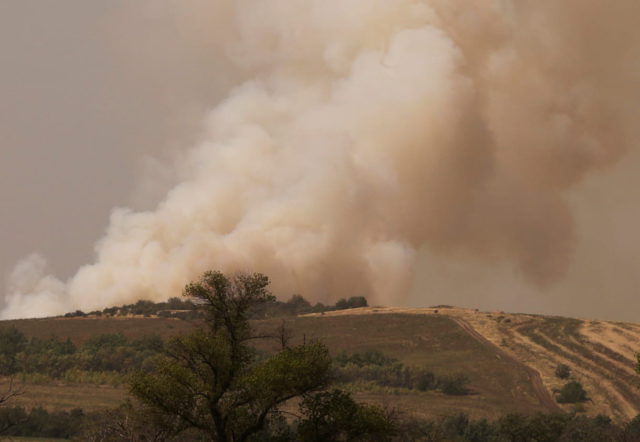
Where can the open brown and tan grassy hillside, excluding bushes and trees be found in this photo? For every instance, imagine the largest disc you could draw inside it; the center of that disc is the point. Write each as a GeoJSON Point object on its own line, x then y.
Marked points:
{"type": "Point", "coordinates": [509, 359]}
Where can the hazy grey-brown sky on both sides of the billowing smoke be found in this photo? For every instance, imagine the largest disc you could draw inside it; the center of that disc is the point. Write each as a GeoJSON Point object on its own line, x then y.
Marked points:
{"type": "Point", "coordinates": [94, 94]}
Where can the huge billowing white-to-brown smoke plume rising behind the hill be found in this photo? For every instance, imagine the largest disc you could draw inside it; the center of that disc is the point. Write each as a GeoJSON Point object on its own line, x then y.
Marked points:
{"type": "Point", "coordinates": [367, 130]}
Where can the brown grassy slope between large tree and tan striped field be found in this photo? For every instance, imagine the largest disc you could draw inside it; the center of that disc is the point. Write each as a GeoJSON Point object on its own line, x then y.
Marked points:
{"type": "Point", "coordinates": [438, 343]}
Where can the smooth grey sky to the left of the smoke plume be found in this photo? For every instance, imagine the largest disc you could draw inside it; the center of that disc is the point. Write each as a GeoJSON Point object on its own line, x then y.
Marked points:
{"type": "Point", "coordinates": [88, 90]}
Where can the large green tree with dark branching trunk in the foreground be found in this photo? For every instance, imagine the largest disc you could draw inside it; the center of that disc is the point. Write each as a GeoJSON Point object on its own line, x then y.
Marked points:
{"type": "Point", "coordinates": [212, 379]}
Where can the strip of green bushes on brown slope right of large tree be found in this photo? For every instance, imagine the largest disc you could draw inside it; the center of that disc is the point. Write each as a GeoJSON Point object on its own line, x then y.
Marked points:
{"type": "Point", "coordinates": [384, 371]}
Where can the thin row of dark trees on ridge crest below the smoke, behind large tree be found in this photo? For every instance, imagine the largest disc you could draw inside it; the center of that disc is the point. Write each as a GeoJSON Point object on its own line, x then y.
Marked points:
{"type": "Point", "coordinates": [186, 309]}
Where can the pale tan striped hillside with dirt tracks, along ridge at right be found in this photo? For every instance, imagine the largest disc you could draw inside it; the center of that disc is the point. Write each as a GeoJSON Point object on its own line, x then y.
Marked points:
{"type": "Point", "coordinates": [601, 354]}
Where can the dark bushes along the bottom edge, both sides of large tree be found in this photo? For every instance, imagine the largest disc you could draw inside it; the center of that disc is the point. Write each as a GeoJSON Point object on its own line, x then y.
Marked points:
{"type": "Point", "coordinates": [326, 416]}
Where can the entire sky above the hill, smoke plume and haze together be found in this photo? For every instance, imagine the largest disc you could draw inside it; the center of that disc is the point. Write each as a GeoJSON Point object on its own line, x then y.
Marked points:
{"type": "Point", "coordinates": [417, 152]}
